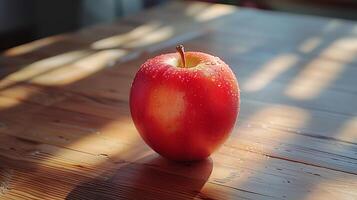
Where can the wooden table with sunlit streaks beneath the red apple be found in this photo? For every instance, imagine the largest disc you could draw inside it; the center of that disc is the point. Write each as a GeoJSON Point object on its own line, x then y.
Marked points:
{"type": "Point", "coordinates": [66, 131]}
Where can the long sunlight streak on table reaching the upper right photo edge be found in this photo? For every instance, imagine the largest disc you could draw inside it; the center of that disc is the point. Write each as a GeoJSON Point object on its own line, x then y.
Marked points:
{"type": "Point", "coordinates": [317, 75]}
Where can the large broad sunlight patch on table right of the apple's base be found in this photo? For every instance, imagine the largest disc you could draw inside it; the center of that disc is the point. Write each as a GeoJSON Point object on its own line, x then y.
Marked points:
{"type": "Point", "coordinates": [248, 151]}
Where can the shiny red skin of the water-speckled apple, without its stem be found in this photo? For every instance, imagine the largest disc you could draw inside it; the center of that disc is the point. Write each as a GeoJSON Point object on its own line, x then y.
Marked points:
{"type": "Point", "coordinates": [184, 114]}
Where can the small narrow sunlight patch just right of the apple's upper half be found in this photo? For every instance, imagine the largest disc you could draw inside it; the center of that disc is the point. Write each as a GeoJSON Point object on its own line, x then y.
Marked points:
{"type": "Point", "coordinates": [269, 72]}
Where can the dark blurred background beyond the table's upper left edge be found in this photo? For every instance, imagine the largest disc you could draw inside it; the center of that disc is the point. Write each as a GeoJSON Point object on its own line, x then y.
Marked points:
{"type": "Point", "coordinates": [25, 20]}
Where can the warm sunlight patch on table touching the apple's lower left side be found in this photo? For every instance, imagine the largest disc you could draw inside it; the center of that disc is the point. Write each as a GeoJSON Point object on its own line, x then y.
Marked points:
{"type": "Point", "coordinates": [118, 140]}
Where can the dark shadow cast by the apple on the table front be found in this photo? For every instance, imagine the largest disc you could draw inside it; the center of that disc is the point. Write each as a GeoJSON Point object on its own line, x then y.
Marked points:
{"type": "Point", "coordinates": [148, 178]}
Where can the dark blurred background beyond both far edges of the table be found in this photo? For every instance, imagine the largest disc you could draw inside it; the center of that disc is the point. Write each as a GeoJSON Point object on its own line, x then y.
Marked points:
{"type": "Point", "coordinates": [26, 20]}
